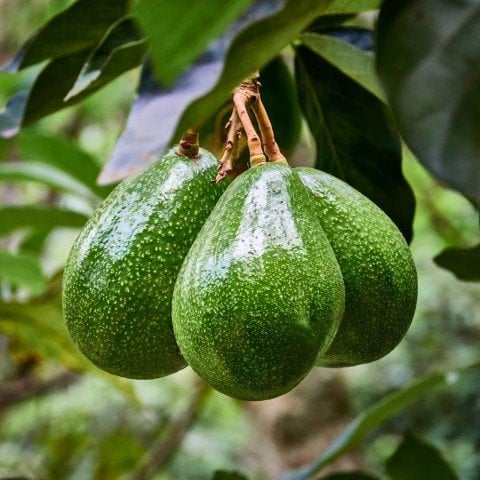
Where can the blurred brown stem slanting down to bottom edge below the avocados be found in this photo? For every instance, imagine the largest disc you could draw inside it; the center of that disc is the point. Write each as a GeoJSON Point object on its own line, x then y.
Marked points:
{"type": "Point", "coordinates": [162, 449]}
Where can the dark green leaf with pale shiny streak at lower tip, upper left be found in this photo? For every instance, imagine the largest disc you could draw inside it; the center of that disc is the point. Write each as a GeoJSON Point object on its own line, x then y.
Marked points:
{"type": "Point", "coordinates": [119, 51]}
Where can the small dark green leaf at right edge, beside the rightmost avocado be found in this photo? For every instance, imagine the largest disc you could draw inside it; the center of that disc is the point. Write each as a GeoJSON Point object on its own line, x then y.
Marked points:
{"type": "Point", "coordinates": [464, 263]}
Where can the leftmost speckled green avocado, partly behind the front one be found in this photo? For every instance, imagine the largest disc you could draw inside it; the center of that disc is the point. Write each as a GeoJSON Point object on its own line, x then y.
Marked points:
{"type": "Point", "coordinates": [119, 278]}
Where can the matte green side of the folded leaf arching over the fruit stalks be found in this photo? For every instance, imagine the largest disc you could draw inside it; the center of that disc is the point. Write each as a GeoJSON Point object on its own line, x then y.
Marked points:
{"type": "Point", "coordinates": [253, 48]}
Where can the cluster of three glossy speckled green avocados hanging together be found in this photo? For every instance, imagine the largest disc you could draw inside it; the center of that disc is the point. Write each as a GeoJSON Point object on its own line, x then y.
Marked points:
{"type": "Point", "coordinates": [252, 285]}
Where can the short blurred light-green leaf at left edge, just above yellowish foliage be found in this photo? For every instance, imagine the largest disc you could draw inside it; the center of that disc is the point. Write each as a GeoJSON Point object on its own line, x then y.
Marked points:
{"type": "Point", "coordinates": [22, 271]}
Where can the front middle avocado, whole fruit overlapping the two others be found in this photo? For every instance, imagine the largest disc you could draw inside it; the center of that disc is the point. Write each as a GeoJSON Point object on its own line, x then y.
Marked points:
{"type": "Point", "coordinates": [260, 292]}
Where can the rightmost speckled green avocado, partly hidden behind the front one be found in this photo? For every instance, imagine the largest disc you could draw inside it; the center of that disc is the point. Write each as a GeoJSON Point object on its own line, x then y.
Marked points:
{"type": "Point", "coordinates": [378, 271]}
